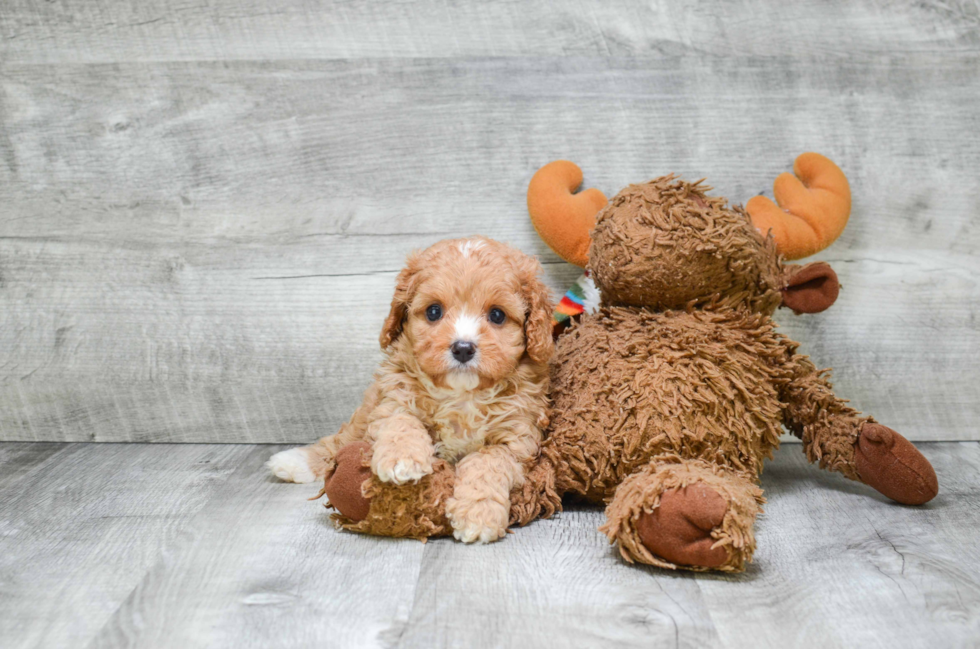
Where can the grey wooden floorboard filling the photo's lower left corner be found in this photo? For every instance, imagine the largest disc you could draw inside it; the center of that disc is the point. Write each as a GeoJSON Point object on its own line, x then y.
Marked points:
{"type": "Point", "coordinates": [80, 530]}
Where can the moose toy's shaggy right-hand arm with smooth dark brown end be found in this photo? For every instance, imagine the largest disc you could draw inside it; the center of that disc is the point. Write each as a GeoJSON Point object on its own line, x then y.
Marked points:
{"type": "Point", "coordinates": [841, 439]}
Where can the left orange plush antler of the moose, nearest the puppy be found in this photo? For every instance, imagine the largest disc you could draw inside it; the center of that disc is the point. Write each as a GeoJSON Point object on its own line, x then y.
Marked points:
{"type": "Point", "coordinates": [563, 219]}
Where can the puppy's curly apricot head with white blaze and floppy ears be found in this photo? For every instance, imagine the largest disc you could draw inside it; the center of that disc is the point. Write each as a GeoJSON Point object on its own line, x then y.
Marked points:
{"type": "Point", "coordinates": [471, 311]}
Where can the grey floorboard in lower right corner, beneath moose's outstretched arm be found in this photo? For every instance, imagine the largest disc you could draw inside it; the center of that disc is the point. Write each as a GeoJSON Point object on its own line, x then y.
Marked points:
{"type": "Point", "coordinates": [841, 566]}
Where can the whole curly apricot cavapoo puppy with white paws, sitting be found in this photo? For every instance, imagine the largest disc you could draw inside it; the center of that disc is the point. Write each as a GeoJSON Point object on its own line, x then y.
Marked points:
{"type": "Point", "coordinates": [465, 378]}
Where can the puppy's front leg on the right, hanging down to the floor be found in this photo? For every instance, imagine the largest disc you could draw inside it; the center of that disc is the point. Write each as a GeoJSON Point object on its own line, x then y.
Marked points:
{"type": "Point", "coordinates": [480, 507]}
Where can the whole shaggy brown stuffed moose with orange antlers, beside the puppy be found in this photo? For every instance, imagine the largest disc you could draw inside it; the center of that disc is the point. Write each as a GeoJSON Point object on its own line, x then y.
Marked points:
{"type": "Point", "coordinates": [669, 398]}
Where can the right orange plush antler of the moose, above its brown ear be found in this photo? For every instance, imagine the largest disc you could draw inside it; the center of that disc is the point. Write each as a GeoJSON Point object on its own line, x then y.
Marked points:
{"type": "Point", "coordinates": [813, 207]}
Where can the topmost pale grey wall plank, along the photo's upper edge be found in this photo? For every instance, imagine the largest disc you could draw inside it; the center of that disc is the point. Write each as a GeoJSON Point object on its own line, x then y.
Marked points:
{"type": "Point", "coordinates": [155, 30]}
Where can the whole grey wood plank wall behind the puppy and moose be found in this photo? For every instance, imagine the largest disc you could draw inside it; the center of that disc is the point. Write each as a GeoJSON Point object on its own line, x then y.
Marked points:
{"type": "Point", "coordinates": [203, 204]}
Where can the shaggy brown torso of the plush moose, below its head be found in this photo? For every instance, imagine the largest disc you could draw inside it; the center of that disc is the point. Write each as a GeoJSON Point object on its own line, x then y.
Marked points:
{"type": "Point", "coordinates": [629, 384]}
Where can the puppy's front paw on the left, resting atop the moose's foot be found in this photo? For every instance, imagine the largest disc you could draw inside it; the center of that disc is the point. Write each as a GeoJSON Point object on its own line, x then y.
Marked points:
{"type": "Point", "coordinates": [402, 449]}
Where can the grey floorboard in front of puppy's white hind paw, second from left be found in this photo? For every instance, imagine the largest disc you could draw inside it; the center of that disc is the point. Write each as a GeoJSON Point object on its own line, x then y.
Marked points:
{"type": "Point", "coordinates": [264, 567]}
